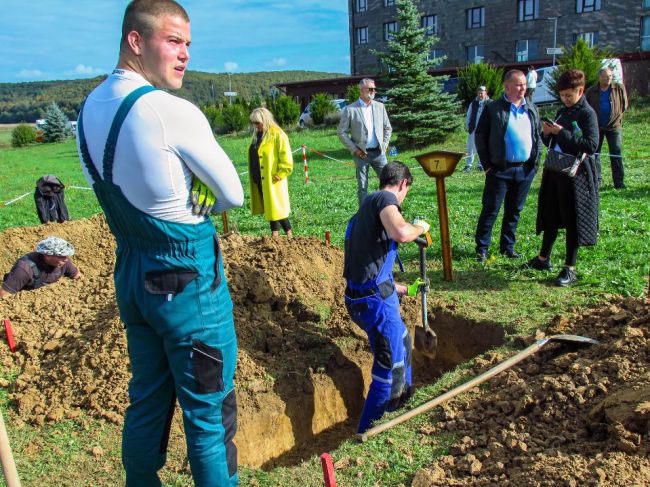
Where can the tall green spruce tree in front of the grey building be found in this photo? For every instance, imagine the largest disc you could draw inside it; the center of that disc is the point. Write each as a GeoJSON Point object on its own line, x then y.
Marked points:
{"type": "Point", "coordinates": [419, 111]}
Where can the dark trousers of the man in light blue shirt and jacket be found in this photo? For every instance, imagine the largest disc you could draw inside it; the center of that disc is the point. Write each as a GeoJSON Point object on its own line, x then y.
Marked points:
{"type": "Point", "coordinates": [510, 188]}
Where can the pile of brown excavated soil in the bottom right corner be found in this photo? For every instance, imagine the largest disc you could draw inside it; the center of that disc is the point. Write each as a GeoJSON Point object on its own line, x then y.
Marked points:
{"type": "Point", "coordinates": [562, 417]}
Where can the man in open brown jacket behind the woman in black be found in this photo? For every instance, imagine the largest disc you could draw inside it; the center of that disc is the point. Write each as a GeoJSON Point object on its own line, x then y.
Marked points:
{"type": "Point", "coordinates": [609, 101]}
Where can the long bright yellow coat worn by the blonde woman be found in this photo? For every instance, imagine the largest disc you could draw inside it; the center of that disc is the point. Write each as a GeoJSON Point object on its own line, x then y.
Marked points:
{"type": "Point", "coordinates": [275, 159]}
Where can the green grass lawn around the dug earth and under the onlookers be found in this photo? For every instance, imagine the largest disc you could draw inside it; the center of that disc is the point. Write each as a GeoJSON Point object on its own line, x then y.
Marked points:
{"type": "Point", "coordinates": [500, 291]}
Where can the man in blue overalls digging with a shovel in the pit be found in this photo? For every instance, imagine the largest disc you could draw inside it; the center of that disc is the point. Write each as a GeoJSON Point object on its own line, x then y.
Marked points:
{"type": "Point", "coordinates": [371, 294]}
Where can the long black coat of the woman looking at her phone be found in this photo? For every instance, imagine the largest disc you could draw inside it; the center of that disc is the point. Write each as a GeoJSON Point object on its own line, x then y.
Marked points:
{"type": "Point", "coordinates": [563, 200]}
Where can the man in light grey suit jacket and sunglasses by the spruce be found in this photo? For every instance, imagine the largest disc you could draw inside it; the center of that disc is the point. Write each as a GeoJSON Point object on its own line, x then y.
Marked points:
{"type": "Point", "coordinates": [365, 130]}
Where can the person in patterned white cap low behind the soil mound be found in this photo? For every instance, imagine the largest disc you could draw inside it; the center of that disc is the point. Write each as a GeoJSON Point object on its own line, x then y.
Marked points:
{"type": "Point", "coordinates": [49, 263]}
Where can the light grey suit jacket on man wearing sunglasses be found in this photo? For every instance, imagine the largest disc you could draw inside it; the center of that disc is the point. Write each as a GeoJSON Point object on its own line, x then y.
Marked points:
{"type": "Point", "coordinates": [352, 130]}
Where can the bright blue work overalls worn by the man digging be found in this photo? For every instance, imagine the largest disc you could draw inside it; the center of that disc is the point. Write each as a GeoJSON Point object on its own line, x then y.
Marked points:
{"type": "Point", "coordinates": [374, 306]}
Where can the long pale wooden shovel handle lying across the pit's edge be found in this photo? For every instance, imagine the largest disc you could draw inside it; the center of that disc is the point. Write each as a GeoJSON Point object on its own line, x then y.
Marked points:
{"type": "Point", "coordinates": [515, 359]}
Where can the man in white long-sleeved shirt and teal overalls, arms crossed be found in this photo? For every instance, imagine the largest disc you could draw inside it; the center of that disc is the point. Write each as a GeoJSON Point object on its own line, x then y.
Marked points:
{"type": "Point", "coordinates": [140, 149]}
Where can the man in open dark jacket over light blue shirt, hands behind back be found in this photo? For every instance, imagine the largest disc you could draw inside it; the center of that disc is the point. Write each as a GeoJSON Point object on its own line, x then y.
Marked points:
{"type": "Point", "coordinates": [508, 144]}
